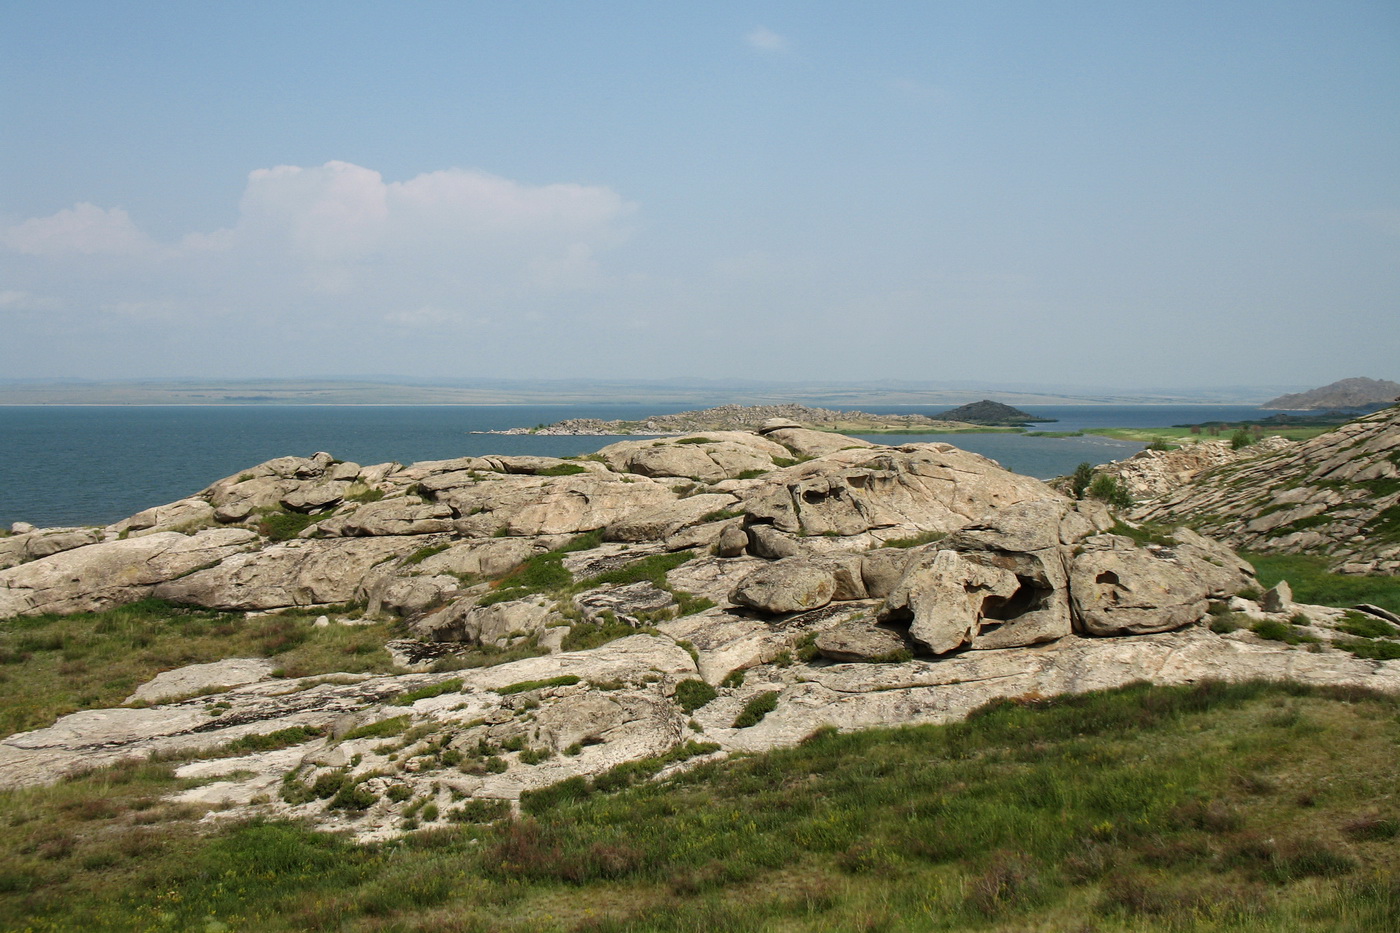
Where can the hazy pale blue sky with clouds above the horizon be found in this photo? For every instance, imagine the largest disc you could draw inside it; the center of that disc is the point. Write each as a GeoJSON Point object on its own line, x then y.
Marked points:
{"type": "Point", "coordinates": [1095, 194]}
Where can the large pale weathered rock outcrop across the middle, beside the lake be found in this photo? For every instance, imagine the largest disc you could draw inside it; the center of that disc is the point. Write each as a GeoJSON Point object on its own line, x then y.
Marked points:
{"type": "Point", "coordinates": [839, 582]}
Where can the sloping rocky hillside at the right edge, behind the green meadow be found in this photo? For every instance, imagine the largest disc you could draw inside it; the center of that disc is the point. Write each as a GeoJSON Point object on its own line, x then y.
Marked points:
{"type": "Point", "coordinates": [1338, 494]}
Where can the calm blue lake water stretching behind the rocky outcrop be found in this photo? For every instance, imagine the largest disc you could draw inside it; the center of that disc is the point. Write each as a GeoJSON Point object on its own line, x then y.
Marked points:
{"type": "Point", "coordinates": [64, 466]}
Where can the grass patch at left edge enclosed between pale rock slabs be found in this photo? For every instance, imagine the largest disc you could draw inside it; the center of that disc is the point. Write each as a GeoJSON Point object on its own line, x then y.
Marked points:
{"type": "Point", "coordinates": [57, 665]}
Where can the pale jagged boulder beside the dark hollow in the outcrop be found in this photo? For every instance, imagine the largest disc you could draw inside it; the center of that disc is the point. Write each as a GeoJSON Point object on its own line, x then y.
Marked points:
{"type": "Point", "coordinates": [946, 599]}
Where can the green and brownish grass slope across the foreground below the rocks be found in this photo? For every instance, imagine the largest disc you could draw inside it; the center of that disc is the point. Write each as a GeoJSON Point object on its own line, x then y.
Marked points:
{"type": "Point", "coordinates": [1193, 809]}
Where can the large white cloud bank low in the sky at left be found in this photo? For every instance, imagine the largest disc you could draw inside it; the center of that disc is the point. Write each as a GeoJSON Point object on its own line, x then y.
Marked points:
{"type": "Point", "coordinates": [310, 236]}
